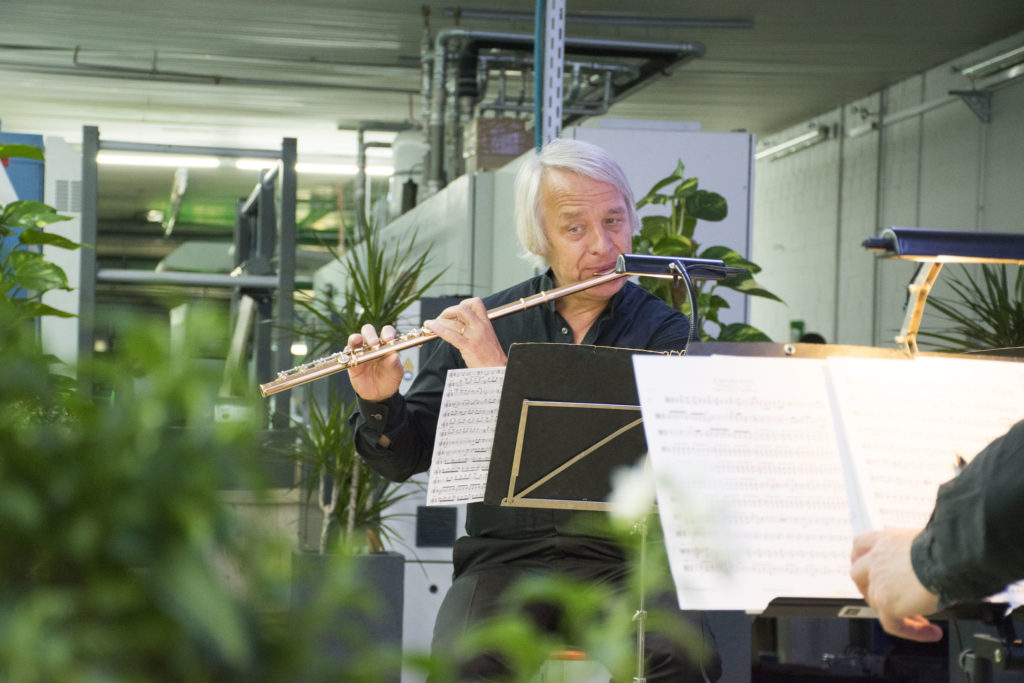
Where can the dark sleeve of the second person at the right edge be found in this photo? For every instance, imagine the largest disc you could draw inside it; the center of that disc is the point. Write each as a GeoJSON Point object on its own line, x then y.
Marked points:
{"type": "Point", "coordinates": [972, 546]}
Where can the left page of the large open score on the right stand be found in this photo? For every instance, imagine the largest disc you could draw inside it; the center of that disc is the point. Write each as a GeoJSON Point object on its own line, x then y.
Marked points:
{"type": "Point", "coordinates": [750, 483]}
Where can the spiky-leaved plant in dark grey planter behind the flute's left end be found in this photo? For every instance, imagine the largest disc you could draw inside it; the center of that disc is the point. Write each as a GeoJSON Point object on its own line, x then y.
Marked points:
{"type": "Point", "coordinates": [381, 281]}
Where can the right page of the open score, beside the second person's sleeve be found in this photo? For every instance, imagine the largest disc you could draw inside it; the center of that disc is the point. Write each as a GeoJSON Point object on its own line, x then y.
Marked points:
{"type": "Point", "coordinates": [906, 422]}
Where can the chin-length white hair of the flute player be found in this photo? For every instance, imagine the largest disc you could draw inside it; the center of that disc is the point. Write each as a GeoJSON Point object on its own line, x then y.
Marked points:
{"type": "Point", "coordinates": [577, 157]}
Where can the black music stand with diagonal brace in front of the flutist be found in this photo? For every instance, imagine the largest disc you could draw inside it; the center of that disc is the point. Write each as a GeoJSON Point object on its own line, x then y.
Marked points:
{"type": "Point", "coordinates": [538, 463]}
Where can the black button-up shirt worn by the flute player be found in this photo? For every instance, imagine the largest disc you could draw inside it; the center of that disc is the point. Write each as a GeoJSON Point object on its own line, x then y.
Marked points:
{"type": "Point", "coordinates": [634, 319]}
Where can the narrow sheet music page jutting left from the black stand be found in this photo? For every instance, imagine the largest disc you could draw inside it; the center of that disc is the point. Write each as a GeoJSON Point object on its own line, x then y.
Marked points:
{"type": "Point", "coordinates": [464, 438]}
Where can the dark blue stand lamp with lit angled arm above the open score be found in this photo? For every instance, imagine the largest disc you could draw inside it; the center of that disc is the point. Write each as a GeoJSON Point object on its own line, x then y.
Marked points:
{"type": "Point", "coordinates": [935, 248]}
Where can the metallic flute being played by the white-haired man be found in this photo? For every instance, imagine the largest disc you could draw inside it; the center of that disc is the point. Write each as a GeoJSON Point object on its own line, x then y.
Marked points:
{"type": "Point", "coordinates": [336, 363]}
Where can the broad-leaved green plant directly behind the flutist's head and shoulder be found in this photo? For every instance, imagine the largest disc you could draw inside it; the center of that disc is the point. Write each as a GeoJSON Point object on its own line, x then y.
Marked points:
{"type": "Point", "coordinates": [673, 236]}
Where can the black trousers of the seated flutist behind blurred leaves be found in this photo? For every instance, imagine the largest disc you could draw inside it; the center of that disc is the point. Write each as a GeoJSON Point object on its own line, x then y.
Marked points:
{"type": "Point", "coordinates": [479, 595]}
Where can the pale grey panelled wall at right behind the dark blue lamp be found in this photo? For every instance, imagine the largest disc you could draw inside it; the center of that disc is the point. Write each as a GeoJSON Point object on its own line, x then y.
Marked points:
{"type": "Point", "coordinates": [931, 162]}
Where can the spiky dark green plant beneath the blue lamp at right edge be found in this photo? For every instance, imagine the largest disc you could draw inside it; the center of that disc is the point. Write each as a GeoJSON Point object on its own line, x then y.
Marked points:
{"type": "Point", "coordinates": [985, 314]}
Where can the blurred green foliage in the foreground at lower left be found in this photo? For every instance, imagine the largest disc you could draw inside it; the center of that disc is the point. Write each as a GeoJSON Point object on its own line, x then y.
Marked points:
{"type": "Point", "coordinates": [120, 561]}
